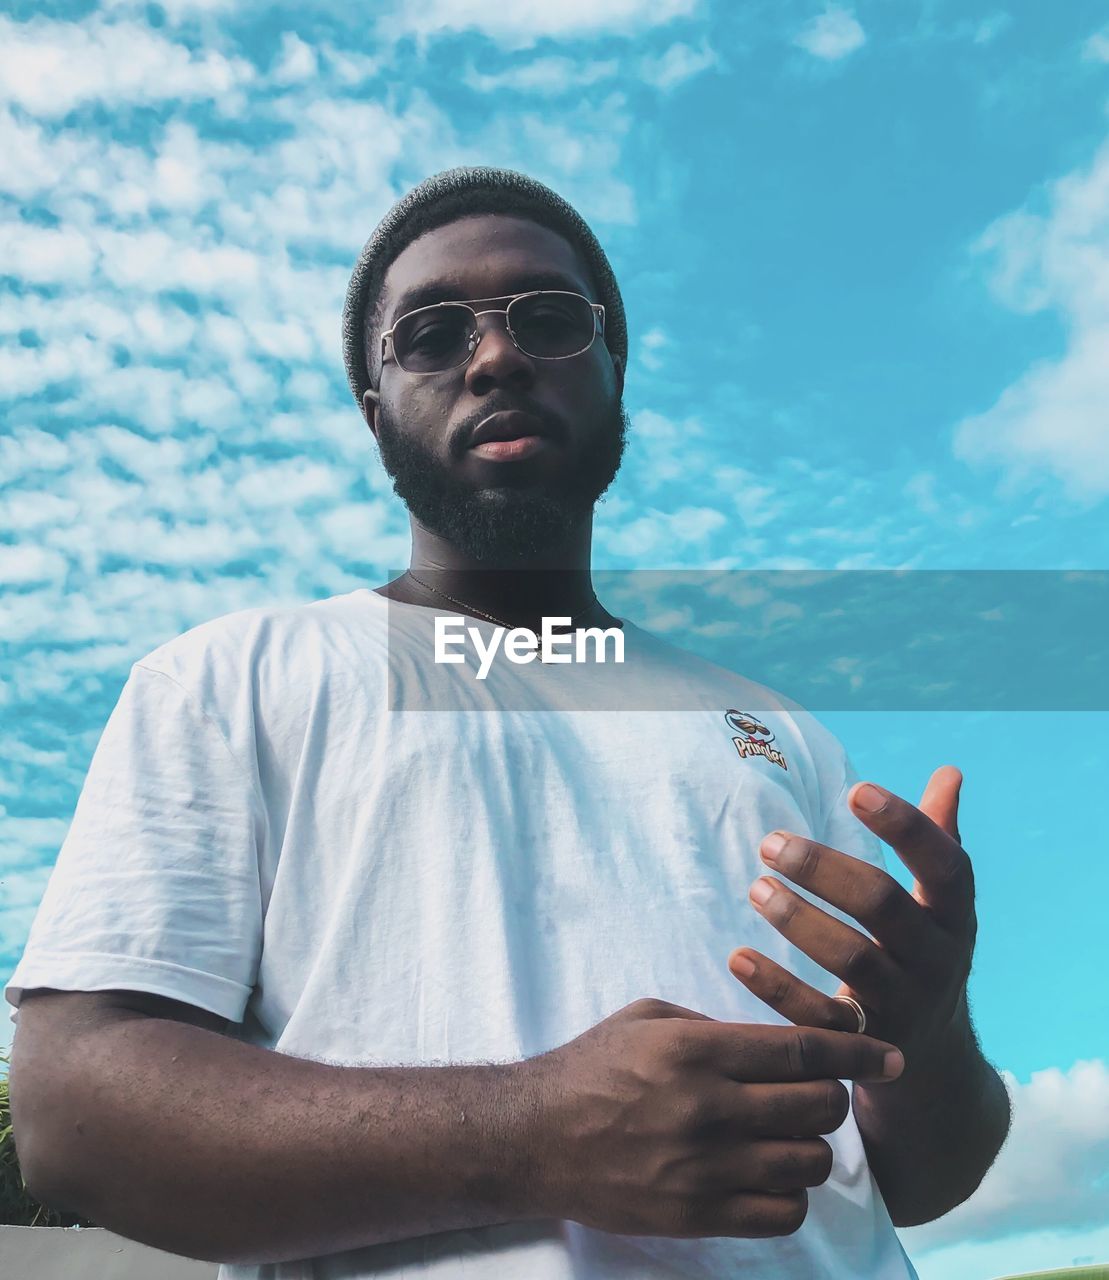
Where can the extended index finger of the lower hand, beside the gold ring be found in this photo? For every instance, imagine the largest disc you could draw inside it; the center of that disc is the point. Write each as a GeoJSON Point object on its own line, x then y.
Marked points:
{"type": "Point", "coordinates": [770, 1055]}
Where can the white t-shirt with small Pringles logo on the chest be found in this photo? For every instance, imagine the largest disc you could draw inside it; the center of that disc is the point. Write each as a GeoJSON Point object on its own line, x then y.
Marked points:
{"type": "Point", "coordinates": [272, 831]}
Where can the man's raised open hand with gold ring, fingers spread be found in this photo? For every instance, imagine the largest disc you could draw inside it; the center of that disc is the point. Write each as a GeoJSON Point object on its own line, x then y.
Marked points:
{"type": "Point", "coordinates": [911, 976]}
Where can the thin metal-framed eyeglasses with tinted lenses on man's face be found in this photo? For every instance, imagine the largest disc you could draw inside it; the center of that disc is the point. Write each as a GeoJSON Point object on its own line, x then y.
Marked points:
{"type": "Point", "coordinates": [546, 324]}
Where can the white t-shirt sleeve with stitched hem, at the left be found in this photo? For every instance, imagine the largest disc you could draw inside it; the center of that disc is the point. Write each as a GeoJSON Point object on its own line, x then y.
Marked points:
{"type": "Point", "coordinates": [157, 884]}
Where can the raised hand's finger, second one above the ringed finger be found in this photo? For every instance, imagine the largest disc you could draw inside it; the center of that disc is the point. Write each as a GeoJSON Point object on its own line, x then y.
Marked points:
{"type": "Point", "coordinates": [859, 889]}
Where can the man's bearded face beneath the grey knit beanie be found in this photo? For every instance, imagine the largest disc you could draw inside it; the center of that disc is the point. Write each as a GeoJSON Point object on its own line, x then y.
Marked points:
{"type": "Point", "coordinates": [492, 510]}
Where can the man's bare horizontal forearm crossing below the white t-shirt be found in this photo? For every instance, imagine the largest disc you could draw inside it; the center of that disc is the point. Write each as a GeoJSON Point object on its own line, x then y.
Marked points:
{"type": "Point", "coordinates": [200, 1145]}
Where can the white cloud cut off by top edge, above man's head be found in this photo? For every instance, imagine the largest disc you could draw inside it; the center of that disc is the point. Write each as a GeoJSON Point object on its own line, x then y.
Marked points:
{"type": "Point", "coordinates": [524, 24]}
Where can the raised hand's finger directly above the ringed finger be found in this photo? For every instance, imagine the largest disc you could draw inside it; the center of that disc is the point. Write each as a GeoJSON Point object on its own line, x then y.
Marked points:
{"type": "Point", "coordinates": [836, 947]}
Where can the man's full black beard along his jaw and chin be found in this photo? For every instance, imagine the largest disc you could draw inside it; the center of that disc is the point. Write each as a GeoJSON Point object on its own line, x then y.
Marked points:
{"type": "Point", "coordinates": [504, 524]}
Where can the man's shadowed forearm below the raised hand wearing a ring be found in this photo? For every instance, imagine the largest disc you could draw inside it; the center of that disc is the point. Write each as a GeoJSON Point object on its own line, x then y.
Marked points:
{"type": "Point", "coordinates": [932, 1136]}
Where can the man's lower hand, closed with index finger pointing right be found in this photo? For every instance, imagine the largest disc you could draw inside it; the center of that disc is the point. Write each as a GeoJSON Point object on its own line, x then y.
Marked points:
{"type": "Point", "coordinates": [664, 1122]}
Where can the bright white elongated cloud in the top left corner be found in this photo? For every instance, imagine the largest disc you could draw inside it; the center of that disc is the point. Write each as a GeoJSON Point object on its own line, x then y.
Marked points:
{"type": "Point", "coordinates": [53, 67]}
